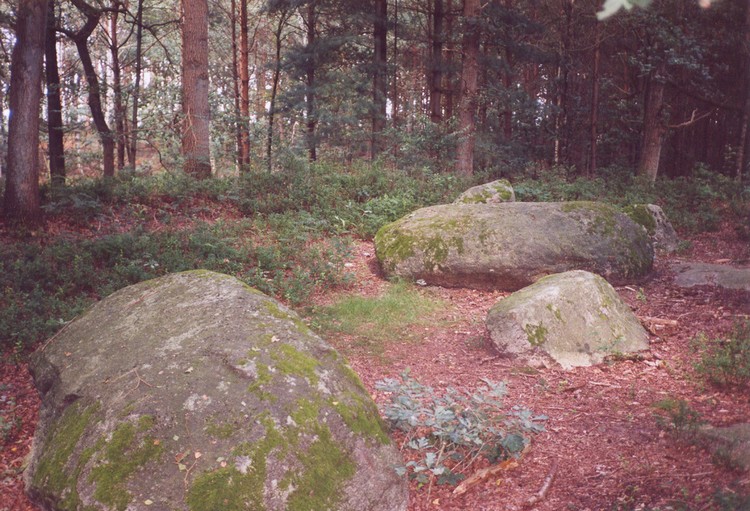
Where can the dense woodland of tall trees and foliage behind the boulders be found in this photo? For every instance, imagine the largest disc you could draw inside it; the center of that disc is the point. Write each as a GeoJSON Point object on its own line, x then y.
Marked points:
{"type": "Point", "coordinates": [496, 87]}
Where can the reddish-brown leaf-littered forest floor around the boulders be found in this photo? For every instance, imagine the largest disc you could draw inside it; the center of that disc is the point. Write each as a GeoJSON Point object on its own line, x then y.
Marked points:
{"type": "Point", "coordinates": [603, 448]}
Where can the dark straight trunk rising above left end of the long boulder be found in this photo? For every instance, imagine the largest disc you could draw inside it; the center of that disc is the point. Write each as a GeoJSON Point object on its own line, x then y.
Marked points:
{"type": "Point", "coordinates": [380, 76]}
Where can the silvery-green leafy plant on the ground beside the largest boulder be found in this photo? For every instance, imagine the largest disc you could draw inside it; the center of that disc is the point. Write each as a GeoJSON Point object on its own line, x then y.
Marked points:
{"type": "Point", "coordinates": [450, 430]}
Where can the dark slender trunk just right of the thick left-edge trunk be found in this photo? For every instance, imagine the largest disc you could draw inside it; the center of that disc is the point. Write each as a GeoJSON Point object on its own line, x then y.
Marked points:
{"type": "Point", "coordinates": [54, 102]}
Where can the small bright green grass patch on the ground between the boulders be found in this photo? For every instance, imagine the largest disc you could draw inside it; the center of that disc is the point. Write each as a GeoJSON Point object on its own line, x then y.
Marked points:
{"type": "Point", "coordinates": [374, 321]}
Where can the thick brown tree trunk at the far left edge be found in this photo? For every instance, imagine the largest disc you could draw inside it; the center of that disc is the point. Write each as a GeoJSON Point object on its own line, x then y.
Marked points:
{"type": "Point", "coordinates": [22, 183]}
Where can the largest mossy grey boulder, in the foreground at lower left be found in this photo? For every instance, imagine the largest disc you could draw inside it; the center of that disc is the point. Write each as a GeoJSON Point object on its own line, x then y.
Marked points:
{"type": "Point", "coordinates": [196, 392]}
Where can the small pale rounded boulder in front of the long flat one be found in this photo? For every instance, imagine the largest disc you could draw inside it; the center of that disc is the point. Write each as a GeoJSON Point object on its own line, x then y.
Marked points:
{"type": "Point", "coordinates": [576, 318]}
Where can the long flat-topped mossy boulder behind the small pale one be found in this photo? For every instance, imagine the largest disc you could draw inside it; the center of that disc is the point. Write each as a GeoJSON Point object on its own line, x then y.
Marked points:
{"type": "Point", "coordinates": [509, 246]}
